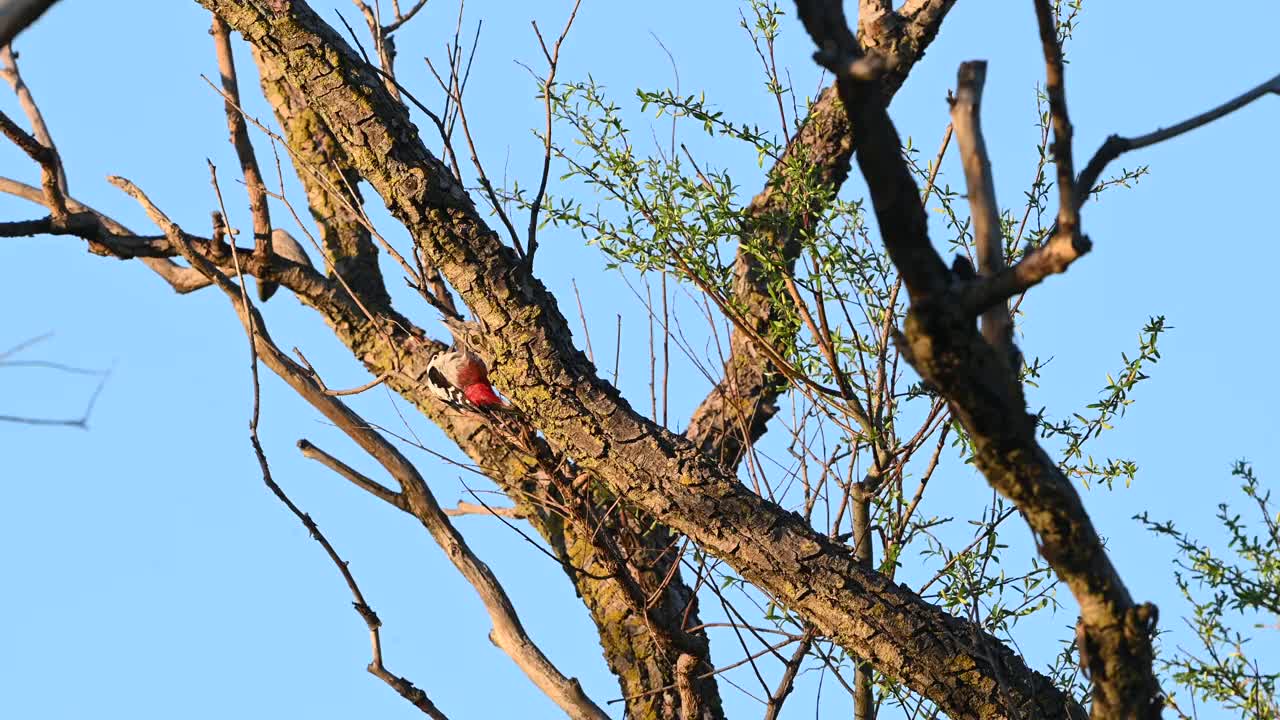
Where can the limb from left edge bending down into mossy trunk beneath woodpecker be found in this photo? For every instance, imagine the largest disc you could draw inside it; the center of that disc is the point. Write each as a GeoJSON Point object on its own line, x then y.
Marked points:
{"type": "Point", "coordinates": [399, 352]}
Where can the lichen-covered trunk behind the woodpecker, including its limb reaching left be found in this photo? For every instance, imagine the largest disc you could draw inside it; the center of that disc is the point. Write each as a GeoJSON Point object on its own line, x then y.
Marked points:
{"type": "Point", "coordinates": [381, 338]}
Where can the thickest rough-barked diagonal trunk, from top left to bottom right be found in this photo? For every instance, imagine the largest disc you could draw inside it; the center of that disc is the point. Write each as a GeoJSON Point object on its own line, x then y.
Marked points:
{"type": "Point", "coordinates": [967, 672]}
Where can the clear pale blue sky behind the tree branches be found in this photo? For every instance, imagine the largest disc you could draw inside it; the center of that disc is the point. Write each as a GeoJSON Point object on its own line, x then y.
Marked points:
{"type": "Point", "coordinates": [148, 572]}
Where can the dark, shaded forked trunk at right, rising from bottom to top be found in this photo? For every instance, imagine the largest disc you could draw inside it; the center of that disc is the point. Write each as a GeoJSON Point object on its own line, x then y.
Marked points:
{"type": "Point", "coordinates": [986, 395]}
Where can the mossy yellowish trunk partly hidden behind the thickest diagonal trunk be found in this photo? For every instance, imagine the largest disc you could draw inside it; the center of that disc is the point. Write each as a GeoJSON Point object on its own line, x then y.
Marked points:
{"type": "Point", "coordinates": [331, 185]}
